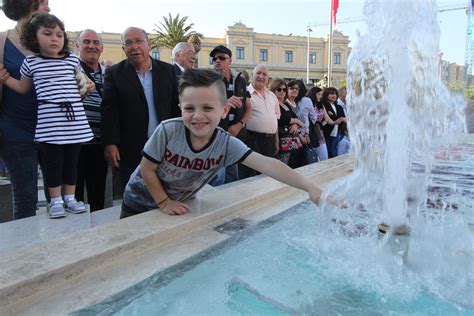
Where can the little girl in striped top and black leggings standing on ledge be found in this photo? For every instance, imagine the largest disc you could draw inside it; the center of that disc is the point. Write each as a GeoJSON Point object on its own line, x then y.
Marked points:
{"type": "Point", "coordinates": [62, 124]}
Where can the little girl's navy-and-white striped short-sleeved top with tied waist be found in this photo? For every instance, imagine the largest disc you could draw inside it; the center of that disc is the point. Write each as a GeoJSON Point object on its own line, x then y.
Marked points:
{"type": "Point", "coordinates": [61, 116]}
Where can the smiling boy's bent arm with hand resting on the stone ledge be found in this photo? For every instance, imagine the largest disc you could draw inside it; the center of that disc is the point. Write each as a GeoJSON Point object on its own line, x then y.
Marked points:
{"type": "Point", "coordinates": [161, 198]}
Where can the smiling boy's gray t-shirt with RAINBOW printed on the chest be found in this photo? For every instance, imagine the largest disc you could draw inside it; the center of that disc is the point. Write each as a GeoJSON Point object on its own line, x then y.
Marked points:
{"type": "Point", "coordinates": [182, 170]}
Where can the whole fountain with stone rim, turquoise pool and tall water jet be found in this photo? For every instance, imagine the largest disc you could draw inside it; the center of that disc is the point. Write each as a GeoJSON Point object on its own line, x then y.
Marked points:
{"type": "Point", "coordinates": [305, 260]}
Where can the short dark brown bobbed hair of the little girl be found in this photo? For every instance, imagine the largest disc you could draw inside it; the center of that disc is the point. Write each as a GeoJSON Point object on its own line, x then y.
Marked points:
{"type": "Point", "coordinates": [29, 30]}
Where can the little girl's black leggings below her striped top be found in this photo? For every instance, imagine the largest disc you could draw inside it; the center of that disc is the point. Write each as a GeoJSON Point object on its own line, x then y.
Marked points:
{"type": "Point", "coordinates": [59, 163]}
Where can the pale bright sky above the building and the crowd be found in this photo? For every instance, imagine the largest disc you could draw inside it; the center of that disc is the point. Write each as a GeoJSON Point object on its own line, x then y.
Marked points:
{"type": "Point", "coordinates": [211, 17]}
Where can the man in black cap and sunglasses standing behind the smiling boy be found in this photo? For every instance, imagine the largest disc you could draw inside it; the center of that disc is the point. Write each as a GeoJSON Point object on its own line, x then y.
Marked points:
{"type": "Point", "coordinates": [238, 102]}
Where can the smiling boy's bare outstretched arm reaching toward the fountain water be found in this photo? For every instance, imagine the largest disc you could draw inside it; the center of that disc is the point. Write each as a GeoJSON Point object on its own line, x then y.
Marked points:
{"type": "Point", "coordinates": [281, 172]}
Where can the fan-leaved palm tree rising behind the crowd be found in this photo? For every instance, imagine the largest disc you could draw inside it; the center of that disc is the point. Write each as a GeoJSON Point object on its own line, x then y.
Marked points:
{"type": "Point", "coordinates": [172, 31]}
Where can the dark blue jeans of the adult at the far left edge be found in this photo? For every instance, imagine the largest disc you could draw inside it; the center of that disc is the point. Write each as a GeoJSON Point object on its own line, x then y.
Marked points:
{"type": "Point", "coordinates": [22, 163]}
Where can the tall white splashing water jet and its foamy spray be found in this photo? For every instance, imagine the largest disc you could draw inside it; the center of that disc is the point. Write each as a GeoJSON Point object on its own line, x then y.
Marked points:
{"type": "Point", "coordinates": [400, 117]}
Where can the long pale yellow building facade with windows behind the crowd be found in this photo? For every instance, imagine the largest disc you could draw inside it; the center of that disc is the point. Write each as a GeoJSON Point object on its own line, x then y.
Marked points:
{"type": "Point", "coordinates": [286, 56]}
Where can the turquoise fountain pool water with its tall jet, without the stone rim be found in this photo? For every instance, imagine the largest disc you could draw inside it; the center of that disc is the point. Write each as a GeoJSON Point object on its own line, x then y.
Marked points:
{"type": "Point", "coordinates": [402, 123]}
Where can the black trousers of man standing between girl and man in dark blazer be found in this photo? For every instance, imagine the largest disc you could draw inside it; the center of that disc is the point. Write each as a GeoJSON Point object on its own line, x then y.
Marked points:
{"type": "Point", "coordinates": [91, 176]}
